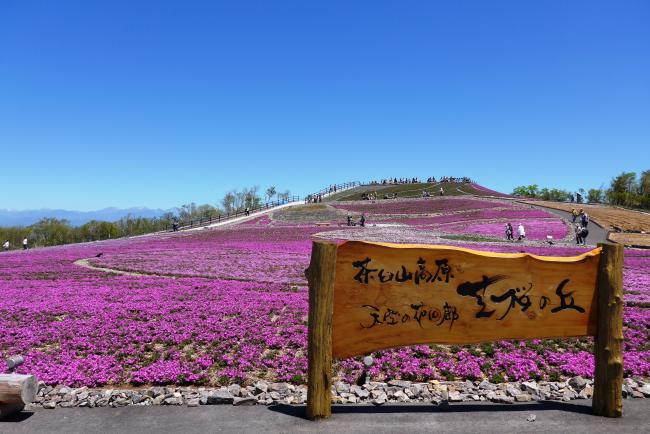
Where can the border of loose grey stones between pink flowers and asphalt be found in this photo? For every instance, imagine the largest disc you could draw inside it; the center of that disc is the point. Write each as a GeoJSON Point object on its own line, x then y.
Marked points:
{"type": "Point", "coordinates": [378, 393]}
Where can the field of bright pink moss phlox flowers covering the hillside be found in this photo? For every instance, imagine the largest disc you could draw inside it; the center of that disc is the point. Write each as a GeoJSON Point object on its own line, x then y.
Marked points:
{"type": "Point", "coordinates": [229, 304]}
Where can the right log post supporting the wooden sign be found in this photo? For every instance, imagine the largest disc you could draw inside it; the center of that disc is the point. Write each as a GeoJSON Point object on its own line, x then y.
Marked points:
{"type": "Point", "coordinates": [608, 349]}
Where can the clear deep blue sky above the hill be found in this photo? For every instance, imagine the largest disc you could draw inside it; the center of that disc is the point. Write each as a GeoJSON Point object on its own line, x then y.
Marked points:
{"type": "Point", "coordinates": [124, 103]}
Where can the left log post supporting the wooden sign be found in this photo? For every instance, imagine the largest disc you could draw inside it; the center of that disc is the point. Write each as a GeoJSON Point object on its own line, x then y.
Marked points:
{"type": "Point", "coordinates": [320, 275]}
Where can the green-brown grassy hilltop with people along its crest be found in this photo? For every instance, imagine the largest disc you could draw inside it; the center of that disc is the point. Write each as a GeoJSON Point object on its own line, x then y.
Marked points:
{"type": "Point", "coordinates": [410, 190]}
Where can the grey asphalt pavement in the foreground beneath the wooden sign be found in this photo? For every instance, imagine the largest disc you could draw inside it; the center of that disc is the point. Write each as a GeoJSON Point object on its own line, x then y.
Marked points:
{"type": "Point", "coordinates": [551, 417]}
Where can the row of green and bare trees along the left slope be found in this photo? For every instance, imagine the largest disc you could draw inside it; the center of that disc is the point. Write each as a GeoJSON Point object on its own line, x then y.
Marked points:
{"type": "Point", "coordinates": [53, 232]}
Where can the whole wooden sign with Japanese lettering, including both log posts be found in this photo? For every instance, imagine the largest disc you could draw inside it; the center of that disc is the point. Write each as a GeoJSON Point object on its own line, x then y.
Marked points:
{"type": "Point", "coordinates": [369, 296]}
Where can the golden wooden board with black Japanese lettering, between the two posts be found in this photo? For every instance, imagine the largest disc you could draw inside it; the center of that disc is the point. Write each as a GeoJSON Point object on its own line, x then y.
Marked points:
{"type": "Point", "coordinates": [468, 303]}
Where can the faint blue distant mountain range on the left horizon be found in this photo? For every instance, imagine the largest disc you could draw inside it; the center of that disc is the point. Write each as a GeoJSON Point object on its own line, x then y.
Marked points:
{"type": "Point", "coordinates": [76, 218]}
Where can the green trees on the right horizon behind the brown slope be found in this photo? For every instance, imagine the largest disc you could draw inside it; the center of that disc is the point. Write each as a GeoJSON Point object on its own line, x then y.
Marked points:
{"type": "Point", "coordinates": [626, 189]}
